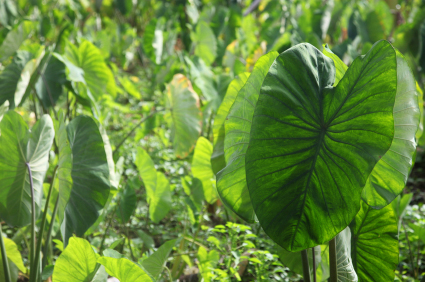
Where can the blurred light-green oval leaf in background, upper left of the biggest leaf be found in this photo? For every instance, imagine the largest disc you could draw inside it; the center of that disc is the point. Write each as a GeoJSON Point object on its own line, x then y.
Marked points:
{"type": "Point", "coordinates": [205, 42]}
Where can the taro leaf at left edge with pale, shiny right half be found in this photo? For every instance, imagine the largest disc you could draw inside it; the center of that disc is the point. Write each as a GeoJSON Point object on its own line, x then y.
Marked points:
{"type": "Point", "coordinates": [19, 146]}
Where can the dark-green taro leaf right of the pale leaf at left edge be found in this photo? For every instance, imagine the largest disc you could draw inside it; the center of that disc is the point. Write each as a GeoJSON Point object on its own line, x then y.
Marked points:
{"type": "Point", "coordinates": [90, 175]}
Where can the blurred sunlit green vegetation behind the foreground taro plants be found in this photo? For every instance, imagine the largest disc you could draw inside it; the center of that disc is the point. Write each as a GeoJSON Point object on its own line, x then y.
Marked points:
{"type": "Point", "coordinates": [151, 76]}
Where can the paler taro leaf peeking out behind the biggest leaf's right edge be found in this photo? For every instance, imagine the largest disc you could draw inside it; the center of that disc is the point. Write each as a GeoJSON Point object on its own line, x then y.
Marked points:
{"type": "Point", "coordinates": [390, 174]}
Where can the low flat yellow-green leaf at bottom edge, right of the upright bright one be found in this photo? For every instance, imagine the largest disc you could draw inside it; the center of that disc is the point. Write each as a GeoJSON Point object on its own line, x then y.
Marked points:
{"type": "Point", "coordinates": [124, 269]}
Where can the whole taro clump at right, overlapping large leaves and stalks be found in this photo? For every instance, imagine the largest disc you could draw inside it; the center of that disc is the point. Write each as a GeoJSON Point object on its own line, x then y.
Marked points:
{"type": "Point", "coordinates": [312, 148]}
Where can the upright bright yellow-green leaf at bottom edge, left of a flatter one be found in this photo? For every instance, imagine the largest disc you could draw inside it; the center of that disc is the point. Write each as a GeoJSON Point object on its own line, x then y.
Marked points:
{"type": "Point", "coordinates": [76, 263]}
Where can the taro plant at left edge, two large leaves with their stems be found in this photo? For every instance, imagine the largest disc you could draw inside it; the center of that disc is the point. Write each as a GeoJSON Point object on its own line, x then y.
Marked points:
{"type": "Point", "coordinates": [78, 189]}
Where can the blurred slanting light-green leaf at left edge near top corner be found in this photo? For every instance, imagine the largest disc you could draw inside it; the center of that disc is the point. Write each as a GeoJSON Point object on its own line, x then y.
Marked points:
{"type": "Point", "coordinates": [15, 38]}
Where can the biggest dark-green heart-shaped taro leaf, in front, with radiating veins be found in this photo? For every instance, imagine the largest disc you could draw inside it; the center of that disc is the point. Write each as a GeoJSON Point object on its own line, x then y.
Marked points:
{"type": "Point", "coordinates": [313, 146]}
